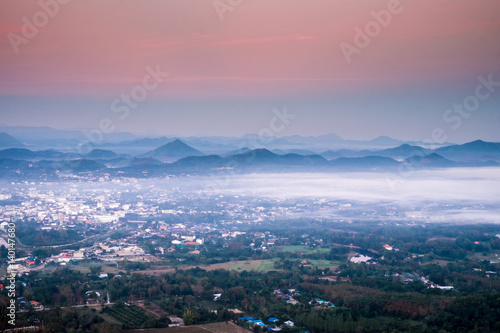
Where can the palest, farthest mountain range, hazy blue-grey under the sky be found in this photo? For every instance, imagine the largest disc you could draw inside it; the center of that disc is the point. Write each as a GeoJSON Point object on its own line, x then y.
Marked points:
{"type": "Point", "coordinates": [42, 138]}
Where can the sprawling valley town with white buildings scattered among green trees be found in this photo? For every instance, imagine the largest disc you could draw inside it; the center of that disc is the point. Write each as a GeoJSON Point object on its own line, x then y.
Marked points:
{"type": "Point", "coordinates": [101, 236]}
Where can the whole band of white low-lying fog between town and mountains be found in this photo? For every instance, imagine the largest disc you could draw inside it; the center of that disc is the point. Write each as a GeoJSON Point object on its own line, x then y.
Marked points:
{"type": "Point", "coordinates": [441, 195]}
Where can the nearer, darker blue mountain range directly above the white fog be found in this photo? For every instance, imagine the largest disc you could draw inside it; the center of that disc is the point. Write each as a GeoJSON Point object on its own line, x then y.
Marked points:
{"type": "Point", "coordinates": [177, 157]}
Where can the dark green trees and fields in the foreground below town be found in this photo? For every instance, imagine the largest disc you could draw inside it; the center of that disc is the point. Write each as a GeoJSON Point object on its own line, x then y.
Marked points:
{"type": "Point", "coordinates": [306, 277]}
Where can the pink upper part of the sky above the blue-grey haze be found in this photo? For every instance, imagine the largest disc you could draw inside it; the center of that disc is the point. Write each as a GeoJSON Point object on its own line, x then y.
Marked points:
{"type": "Point", "coordinates": [279, 47]}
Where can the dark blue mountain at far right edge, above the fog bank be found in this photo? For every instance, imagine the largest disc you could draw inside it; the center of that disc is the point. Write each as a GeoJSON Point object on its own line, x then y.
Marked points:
{"type": "Point", "coordinates": [471, 152]}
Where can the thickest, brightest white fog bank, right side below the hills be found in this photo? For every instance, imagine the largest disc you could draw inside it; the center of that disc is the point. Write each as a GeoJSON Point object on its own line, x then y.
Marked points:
{"type": "Point", "coordinates": [481, 185]}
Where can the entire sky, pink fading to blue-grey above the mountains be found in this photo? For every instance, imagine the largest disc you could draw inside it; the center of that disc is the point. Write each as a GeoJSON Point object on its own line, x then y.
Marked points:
{"type": "Point", "coordinates": [359, 69]}
